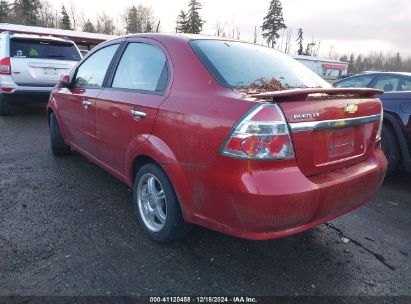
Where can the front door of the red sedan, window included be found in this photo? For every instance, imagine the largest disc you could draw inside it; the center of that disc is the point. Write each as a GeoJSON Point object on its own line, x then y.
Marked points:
{"type": "Point", "coordinates": [77, 106]}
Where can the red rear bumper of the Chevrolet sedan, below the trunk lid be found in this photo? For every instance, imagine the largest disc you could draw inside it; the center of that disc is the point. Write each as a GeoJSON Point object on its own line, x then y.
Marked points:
{"type": "Point", "coordinates": [253, 202]}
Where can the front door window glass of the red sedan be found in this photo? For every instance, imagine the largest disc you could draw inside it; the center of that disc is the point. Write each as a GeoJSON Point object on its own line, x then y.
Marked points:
{"type": "Point", "coordinates": [91, 73]}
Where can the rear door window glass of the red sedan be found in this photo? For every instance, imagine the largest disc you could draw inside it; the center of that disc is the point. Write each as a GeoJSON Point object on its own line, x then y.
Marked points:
{"type": "Point", "coordinates": [142, 67]}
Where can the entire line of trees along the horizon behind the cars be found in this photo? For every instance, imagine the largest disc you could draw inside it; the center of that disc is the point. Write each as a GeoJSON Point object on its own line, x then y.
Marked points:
{"type": "Point", "coordinates": [141, 19]}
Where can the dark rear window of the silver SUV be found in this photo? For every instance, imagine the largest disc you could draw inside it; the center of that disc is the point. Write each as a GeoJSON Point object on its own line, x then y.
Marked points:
{"type": "Point", "coordinates": [29, 48]}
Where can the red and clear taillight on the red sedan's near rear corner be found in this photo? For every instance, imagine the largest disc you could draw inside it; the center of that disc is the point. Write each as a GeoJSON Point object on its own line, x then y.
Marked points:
{"type": "Point", "coordinates": [262, 134]}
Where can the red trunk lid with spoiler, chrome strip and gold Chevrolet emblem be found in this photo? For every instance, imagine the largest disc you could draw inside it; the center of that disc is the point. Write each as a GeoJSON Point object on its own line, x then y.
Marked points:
{"type": "Point", "coordinates": [330, 128]}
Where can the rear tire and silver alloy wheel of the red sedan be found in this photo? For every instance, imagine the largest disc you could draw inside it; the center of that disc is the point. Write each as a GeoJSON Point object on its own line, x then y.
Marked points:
{"type": "Point", "coordinates": [157, 206]}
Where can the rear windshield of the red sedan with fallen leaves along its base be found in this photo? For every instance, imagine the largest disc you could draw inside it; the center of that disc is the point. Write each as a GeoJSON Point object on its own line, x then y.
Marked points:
{"type": "Point", "coordinates": [237, 64]}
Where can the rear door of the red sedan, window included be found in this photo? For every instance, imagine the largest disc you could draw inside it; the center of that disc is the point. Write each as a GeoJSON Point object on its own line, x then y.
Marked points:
{"type": "Point", "coordinates": [127, 108]}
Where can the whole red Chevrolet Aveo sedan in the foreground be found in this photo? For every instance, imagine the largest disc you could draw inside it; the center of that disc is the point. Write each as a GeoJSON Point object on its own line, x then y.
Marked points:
{"type": "Point", "coordinates": [231, 136]}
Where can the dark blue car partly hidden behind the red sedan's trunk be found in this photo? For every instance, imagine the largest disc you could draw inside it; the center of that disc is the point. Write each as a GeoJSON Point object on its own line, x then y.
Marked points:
{"type": "Point", "coordinates": [396, 100]}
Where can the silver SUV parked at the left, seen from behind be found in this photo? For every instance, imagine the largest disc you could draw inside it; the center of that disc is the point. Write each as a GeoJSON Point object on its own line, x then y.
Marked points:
{"type": "Point", "coordinates": [31, 65]}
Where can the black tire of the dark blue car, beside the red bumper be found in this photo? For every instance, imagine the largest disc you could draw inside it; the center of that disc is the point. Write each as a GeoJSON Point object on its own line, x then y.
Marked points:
{"type": "Point", "coordinates": [390, 147]}
